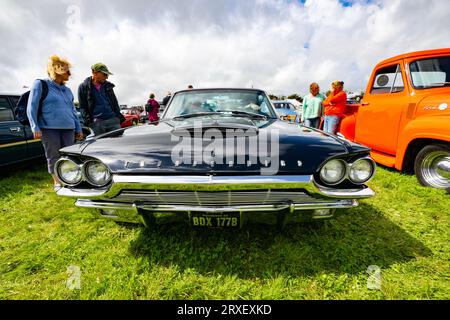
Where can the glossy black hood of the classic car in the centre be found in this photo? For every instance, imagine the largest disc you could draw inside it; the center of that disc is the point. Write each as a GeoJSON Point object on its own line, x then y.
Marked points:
{"type": "Point", "coordinates": [183, 147]}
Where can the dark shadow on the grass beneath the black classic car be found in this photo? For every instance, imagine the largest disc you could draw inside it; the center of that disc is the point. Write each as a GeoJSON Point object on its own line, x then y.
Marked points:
{"type": "Point", "coordinates": [349, 243]}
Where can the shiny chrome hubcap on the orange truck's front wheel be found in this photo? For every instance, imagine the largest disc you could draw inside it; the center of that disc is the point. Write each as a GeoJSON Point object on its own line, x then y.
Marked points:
{"type": "Point", "coordinates": [436, 169]}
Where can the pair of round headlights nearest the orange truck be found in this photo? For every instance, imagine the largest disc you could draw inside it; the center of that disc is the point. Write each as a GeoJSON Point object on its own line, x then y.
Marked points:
{"type": "Point", "coordinates": [335, 171]}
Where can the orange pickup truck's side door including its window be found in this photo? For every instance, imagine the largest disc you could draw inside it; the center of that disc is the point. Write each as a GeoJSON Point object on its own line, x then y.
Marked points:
{"type": "Point", "coordinates": [379, 115]}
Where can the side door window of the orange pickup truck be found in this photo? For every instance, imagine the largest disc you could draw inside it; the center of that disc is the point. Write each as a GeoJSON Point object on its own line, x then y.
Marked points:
{"type": "Point", "coordinates": [388, 80]}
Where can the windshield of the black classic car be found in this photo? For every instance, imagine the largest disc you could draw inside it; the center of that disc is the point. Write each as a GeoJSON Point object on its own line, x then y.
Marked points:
{"type": "Point", "coordinates": [240, 102]}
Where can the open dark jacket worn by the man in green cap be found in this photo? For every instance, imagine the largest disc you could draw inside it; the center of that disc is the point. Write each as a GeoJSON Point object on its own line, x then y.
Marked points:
{"type": "Point", "coordinates": [87, 101]}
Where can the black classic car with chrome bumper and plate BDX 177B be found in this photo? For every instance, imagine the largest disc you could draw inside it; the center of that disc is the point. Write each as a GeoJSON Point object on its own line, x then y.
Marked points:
{"type": "Point", "coordinates": [217, 158]}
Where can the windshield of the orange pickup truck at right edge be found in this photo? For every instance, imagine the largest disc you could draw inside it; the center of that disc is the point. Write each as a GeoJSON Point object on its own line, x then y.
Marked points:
{"type": "Point", "coordinates": [430, 73]}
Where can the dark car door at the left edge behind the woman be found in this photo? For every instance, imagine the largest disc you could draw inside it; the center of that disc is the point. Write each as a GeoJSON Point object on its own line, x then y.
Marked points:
{"type": "Point", "coordinates": [13, 143]}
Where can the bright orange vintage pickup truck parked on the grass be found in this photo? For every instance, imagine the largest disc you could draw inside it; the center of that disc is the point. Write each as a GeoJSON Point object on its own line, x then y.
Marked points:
{"type": "Point", "coordinates": [404, 116]}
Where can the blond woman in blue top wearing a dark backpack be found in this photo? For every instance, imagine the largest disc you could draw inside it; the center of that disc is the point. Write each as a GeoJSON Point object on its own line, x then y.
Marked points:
{"type": "Point", "coordinates": [57, 125]}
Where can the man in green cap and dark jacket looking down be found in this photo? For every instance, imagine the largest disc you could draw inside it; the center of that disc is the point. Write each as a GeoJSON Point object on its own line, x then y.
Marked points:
{"type": "Point", "coordinates": [98, 103]}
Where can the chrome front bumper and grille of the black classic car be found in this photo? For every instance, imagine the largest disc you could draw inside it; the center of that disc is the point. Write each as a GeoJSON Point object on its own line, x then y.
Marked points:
{"type": "Point", "coordinates": [318, 202]}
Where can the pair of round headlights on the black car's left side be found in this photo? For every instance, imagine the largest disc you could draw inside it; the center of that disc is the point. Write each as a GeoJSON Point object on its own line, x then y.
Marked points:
{"type": "Point", "coordinates": [93, 171]}
